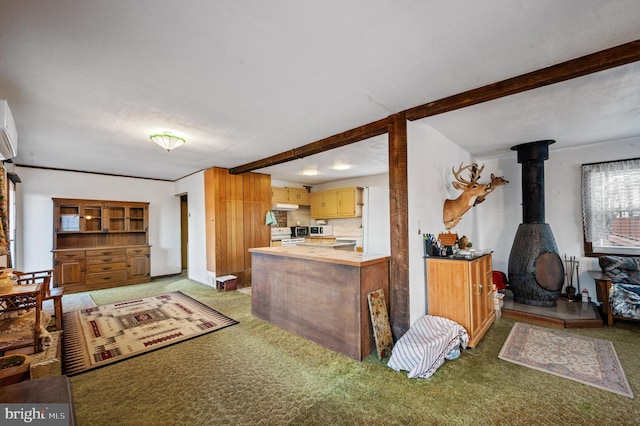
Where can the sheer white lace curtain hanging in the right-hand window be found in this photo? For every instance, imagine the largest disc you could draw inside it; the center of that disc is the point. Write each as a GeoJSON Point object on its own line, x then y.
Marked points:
{"type": "Point", "coordinates": [609, 190]}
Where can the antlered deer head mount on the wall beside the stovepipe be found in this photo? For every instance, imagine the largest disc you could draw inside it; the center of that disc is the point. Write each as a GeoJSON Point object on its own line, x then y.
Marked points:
{"type": "Point", "coordinates": [473, 193]}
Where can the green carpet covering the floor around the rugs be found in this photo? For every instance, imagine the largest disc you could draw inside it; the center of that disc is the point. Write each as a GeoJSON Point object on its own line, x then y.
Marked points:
{"type": "Point", "coordinates": [255, 373]}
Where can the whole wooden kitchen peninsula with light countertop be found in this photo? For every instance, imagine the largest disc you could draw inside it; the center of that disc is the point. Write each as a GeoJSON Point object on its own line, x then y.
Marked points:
{"type": "Point", "coordinates": [319, 294]}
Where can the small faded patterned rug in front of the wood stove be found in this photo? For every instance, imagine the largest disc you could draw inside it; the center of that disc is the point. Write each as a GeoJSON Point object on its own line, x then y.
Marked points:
{"type": "Point", "coordinates": [586, 360]}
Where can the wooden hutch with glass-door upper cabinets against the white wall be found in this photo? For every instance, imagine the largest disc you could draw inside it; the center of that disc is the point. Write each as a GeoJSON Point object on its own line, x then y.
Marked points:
{"type": "Point", "coordinates": [100, 244]}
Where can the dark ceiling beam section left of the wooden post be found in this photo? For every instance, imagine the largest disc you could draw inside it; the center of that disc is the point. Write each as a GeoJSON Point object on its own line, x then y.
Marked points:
{"type": "Point", "coordinates": [336, 141]}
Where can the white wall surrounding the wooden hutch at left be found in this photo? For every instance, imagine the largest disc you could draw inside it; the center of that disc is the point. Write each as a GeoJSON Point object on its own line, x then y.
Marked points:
{"type": "Point", "coordinates": [34, 207]}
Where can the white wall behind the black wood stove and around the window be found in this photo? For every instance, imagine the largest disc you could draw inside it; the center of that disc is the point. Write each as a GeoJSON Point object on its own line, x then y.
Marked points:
{"type": "Point", "coordinates": [499, 216]}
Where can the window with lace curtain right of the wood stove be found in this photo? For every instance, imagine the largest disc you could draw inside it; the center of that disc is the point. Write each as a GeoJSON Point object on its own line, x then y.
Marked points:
{"type": "Point", "coordinates": [611, 207]}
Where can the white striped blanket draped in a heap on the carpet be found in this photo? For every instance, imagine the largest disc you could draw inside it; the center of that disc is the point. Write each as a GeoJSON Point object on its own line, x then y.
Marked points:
{"type": "Point", "coordinates": [424, 347]}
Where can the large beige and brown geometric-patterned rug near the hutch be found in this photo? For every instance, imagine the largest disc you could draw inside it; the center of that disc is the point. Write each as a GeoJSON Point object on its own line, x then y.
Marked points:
{"type": "Point", "coordinates": [101, 335]}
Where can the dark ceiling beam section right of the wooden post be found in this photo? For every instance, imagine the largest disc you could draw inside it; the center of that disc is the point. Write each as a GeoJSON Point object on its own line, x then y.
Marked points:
{"type": "Point", "coordinates": [584, 65]}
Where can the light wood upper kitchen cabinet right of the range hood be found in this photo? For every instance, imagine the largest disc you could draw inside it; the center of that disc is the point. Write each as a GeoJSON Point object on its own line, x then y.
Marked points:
{"type": "Point", "coordinates": [337, 203]}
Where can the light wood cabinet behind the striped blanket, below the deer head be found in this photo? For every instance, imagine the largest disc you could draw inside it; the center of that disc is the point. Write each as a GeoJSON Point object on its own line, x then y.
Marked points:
{"type": "Point", "coordinates": [461, 290]}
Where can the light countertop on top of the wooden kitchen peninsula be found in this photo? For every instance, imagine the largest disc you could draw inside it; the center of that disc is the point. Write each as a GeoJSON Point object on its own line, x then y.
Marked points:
{"type": "Point", "coordinates": [321, 254]}
